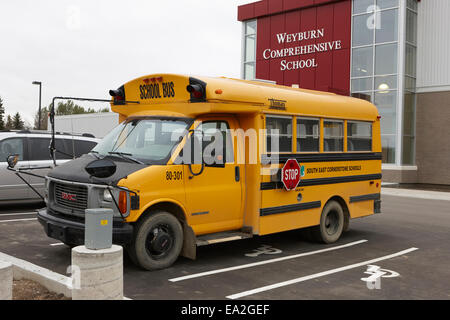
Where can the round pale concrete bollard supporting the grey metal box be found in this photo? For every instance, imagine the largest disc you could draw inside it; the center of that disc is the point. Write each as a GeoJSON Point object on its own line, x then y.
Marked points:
{"type": "Point", "coordinates": [97, 274]}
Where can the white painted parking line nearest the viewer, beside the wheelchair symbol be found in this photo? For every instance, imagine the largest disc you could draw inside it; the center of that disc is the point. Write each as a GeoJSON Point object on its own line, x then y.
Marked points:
{"type": "Point", "coordinates": [317, 275]}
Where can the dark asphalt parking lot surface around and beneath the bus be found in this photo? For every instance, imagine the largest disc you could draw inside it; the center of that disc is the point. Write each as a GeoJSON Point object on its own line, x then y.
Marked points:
{"type": "Point", "coordinates": [408, 245]}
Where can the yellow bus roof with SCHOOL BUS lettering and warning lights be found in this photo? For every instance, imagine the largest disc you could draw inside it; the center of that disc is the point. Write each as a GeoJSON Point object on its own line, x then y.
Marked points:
{"type": "Point", "coordinates": [192, 96]}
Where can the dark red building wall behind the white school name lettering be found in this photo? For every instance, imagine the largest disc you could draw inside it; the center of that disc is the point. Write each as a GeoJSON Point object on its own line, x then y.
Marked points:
{"type": "Point", "coordinates": [328, 70]}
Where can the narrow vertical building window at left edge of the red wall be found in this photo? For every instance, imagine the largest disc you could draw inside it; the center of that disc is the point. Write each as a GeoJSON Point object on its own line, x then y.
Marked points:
{"type": "Point", "coordinates": [249, 50]}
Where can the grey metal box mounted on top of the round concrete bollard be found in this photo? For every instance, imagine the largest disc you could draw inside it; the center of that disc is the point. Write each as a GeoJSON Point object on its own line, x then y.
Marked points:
{"type": "Point", "coordinates": [98, 228]}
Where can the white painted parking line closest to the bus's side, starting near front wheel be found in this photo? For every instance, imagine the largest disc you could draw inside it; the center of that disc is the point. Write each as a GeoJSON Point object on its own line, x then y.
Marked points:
{"type": "Point", "coordinates": [249, 265]}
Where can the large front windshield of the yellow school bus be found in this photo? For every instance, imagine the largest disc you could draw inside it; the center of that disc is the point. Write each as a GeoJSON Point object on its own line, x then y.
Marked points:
{"type": "Point", "coordinates": [147, 140]}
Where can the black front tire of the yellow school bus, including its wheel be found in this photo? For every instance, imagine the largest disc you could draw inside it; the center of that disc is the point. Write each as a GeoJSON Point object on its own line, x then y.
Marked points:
{"type": "Point", "coordinates": [158, 241]}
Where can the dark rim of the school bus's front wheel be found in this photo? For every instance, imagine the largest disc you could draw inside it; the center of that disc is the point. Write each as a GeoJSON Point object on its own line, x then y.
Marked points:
{"type": "Point", "coordinates": [160, 241]}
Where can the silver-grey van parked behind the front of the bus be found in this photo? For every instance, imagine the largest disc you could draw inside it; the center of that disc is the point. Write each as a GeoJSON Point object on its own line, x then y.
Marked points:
{"type": "Point", "coordinates": [33, 150]}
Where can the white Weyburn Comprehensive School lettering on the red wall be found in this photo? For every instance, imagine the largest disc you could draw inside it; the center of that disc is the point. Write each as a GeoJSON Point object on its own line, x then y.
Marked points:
{"type": "Point", "coordinates": [299, 50]}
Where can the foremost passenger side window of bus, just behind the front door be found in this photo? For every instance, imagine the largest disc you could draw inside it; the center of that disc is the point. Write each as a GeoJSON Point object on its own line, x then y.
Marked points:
{"type": "Point", "coordinates": [279, 134]}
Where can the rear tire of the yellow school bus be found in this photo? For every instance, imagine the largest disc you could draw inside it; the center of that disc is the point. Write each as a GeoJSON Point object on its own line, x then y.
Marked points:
{"type": "Point", "coordinates": [331, 223]}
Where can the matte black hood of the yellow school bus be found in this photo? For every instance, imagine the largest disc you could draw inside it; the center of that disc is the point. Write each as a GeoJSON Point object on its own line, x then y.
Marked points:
{"type": "Point", "coordinates": [74, 170]}
